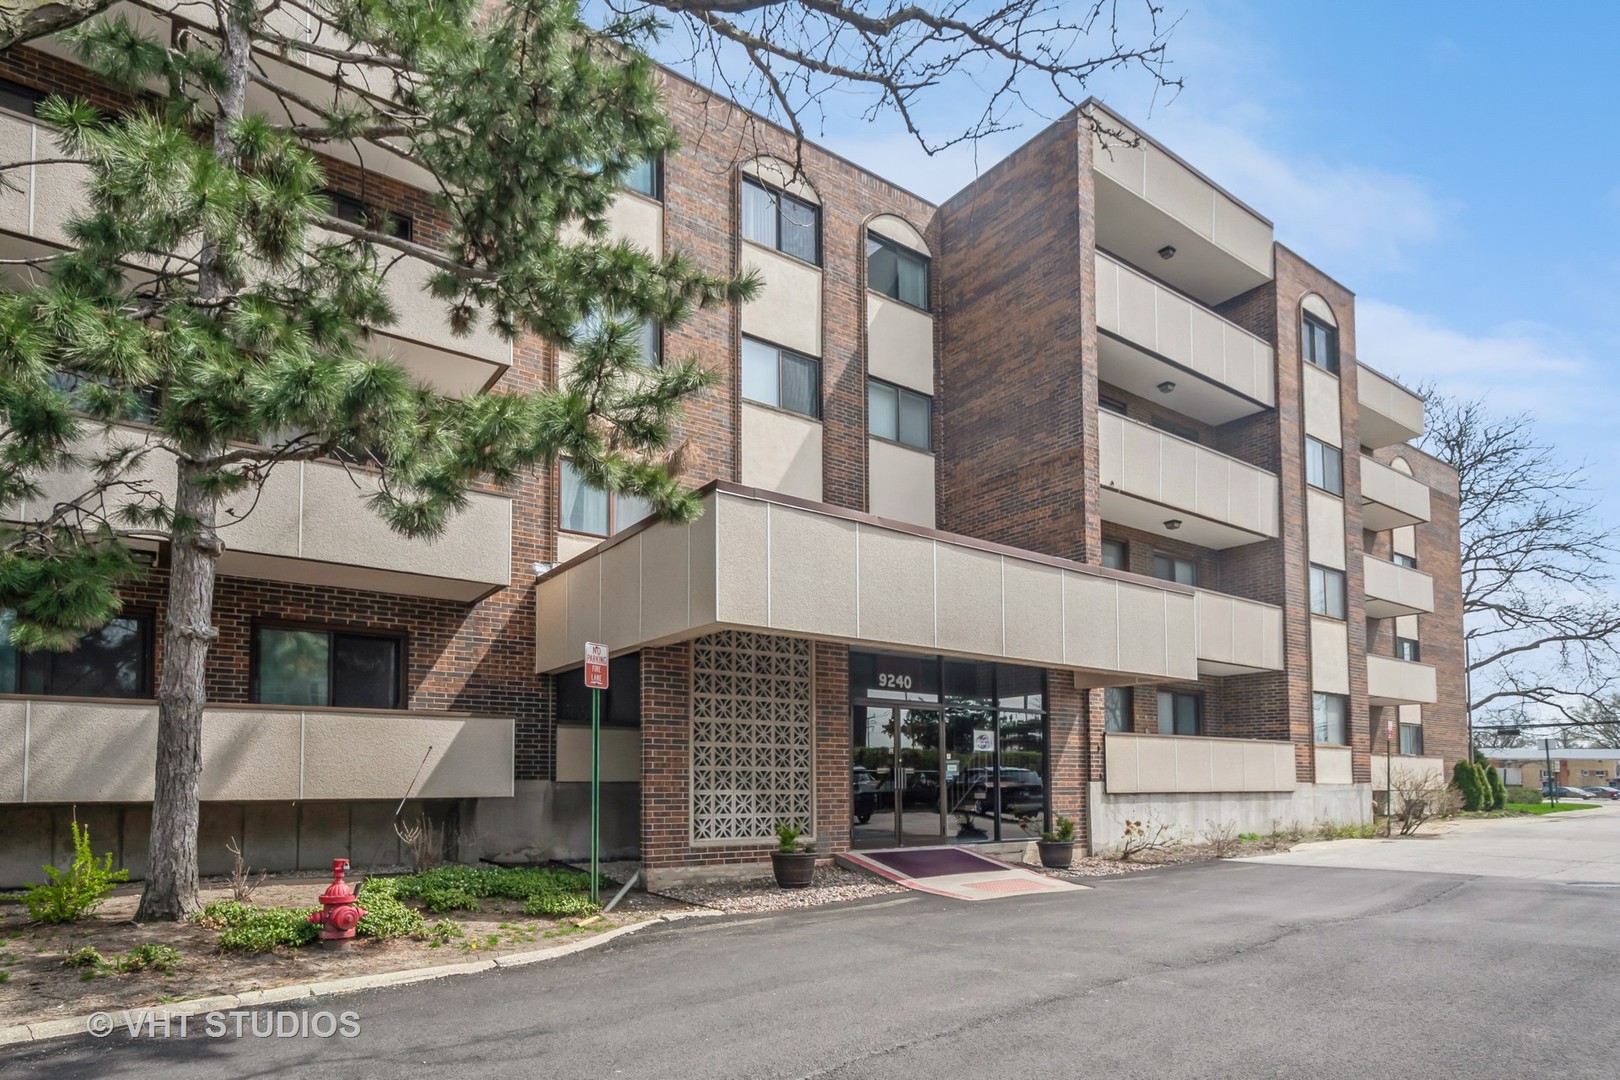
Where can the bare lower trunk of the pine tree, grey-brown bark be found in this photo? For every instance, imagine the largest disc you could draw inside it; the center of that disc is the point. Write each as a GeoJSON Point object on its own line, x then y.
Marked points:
{"type": "Point", "coordinates": [189, 631]}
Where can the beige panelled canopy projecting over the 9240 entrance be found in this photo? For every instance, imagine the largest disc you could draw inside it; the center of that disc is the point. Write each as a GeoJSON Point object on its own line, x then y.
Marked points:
{"type": "Point", "coordinates": [769, 563]}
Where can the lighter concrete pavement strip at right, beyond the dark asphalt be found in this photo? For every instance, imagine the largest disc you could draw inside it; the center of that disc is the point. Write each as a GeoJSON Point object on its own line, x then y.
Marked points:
{"type": "Point", "coordinates": [1575, 848]}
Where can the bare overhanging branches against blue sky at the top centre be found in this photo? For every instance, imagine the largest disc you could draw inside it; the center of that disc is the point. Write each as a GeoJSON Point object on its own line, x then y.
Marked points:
{"type": "Point", "coordinates": [979, 62]}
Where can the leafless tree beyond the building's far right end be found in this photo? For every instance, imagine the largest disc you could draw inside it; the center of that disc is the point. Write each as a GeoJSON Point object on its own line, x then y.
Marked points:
{"type": "Point", "coordinates": [1541, 626]}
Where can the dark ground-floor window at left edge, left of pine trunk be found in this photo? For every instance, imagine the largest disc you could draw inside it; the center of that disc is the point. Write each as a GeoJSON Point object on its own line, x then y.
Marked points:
{"type": "Point", "coordinates": [114, 661]}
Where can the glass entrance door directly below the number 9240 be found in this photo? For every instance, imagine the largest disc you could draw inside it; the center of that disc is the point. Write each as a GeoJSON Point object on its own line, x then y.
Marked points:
{"type": "Point", "coordinates": [898, 776]}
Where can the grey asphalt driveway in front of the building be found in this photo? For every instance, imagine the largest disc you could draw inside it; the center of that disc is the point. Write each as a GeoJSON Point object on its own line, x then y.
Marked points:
{"type": "Point", "coordinates": [1238, 969]}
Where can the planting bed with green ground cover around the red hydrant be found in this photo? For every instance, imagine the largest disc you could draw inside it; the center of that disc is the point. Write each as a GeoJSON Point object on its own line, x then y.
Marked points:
{"type": "Point", "coordinates": [38, 984]}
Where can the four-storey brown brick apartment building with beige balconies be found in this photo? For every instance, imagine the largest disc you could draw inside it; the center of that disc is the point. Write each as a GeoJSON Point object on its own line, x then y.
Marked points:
{"type": "Point", "coordinates": [1068, 496]}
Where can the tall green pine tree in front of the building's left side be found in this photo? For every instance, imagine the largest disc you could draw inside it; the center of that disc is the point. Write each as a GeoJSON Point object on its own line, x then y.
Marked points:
{"type": "Point", "coordinates": [215, 294]}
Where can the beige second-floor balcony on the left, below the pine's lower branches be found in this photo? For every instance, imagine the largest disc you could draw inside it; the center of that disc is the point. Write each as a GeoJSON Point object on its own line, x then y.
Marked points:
{"type": "Point", "coordinates": [312, 525]}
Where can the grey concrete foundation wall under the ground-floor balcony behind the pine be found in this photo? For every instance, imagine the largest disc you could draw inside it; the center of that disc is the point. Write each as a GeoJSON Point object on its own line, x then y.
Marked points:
{"type": "Point", "coordinates": [271, 836]}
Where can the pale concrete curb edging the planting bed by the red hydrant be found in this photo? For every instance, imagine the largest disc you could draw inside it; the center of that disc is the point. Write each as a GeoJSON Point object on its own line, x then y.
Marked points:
{"type": "Point", "coordinates": [330, 989]}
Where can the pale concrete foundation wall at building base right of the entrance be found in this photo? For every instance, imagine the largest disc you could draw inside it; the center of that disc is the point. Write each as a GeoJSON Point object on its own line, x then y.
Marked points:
{"type": "Point", "coordinates": [1190, 815]}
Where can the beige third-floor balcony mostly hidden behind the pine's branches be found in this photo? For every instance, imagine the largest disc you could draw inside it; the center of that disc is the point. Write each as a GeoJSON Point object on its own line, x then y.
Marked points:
{"type": "Point", "coordinates": [33, 224]}
